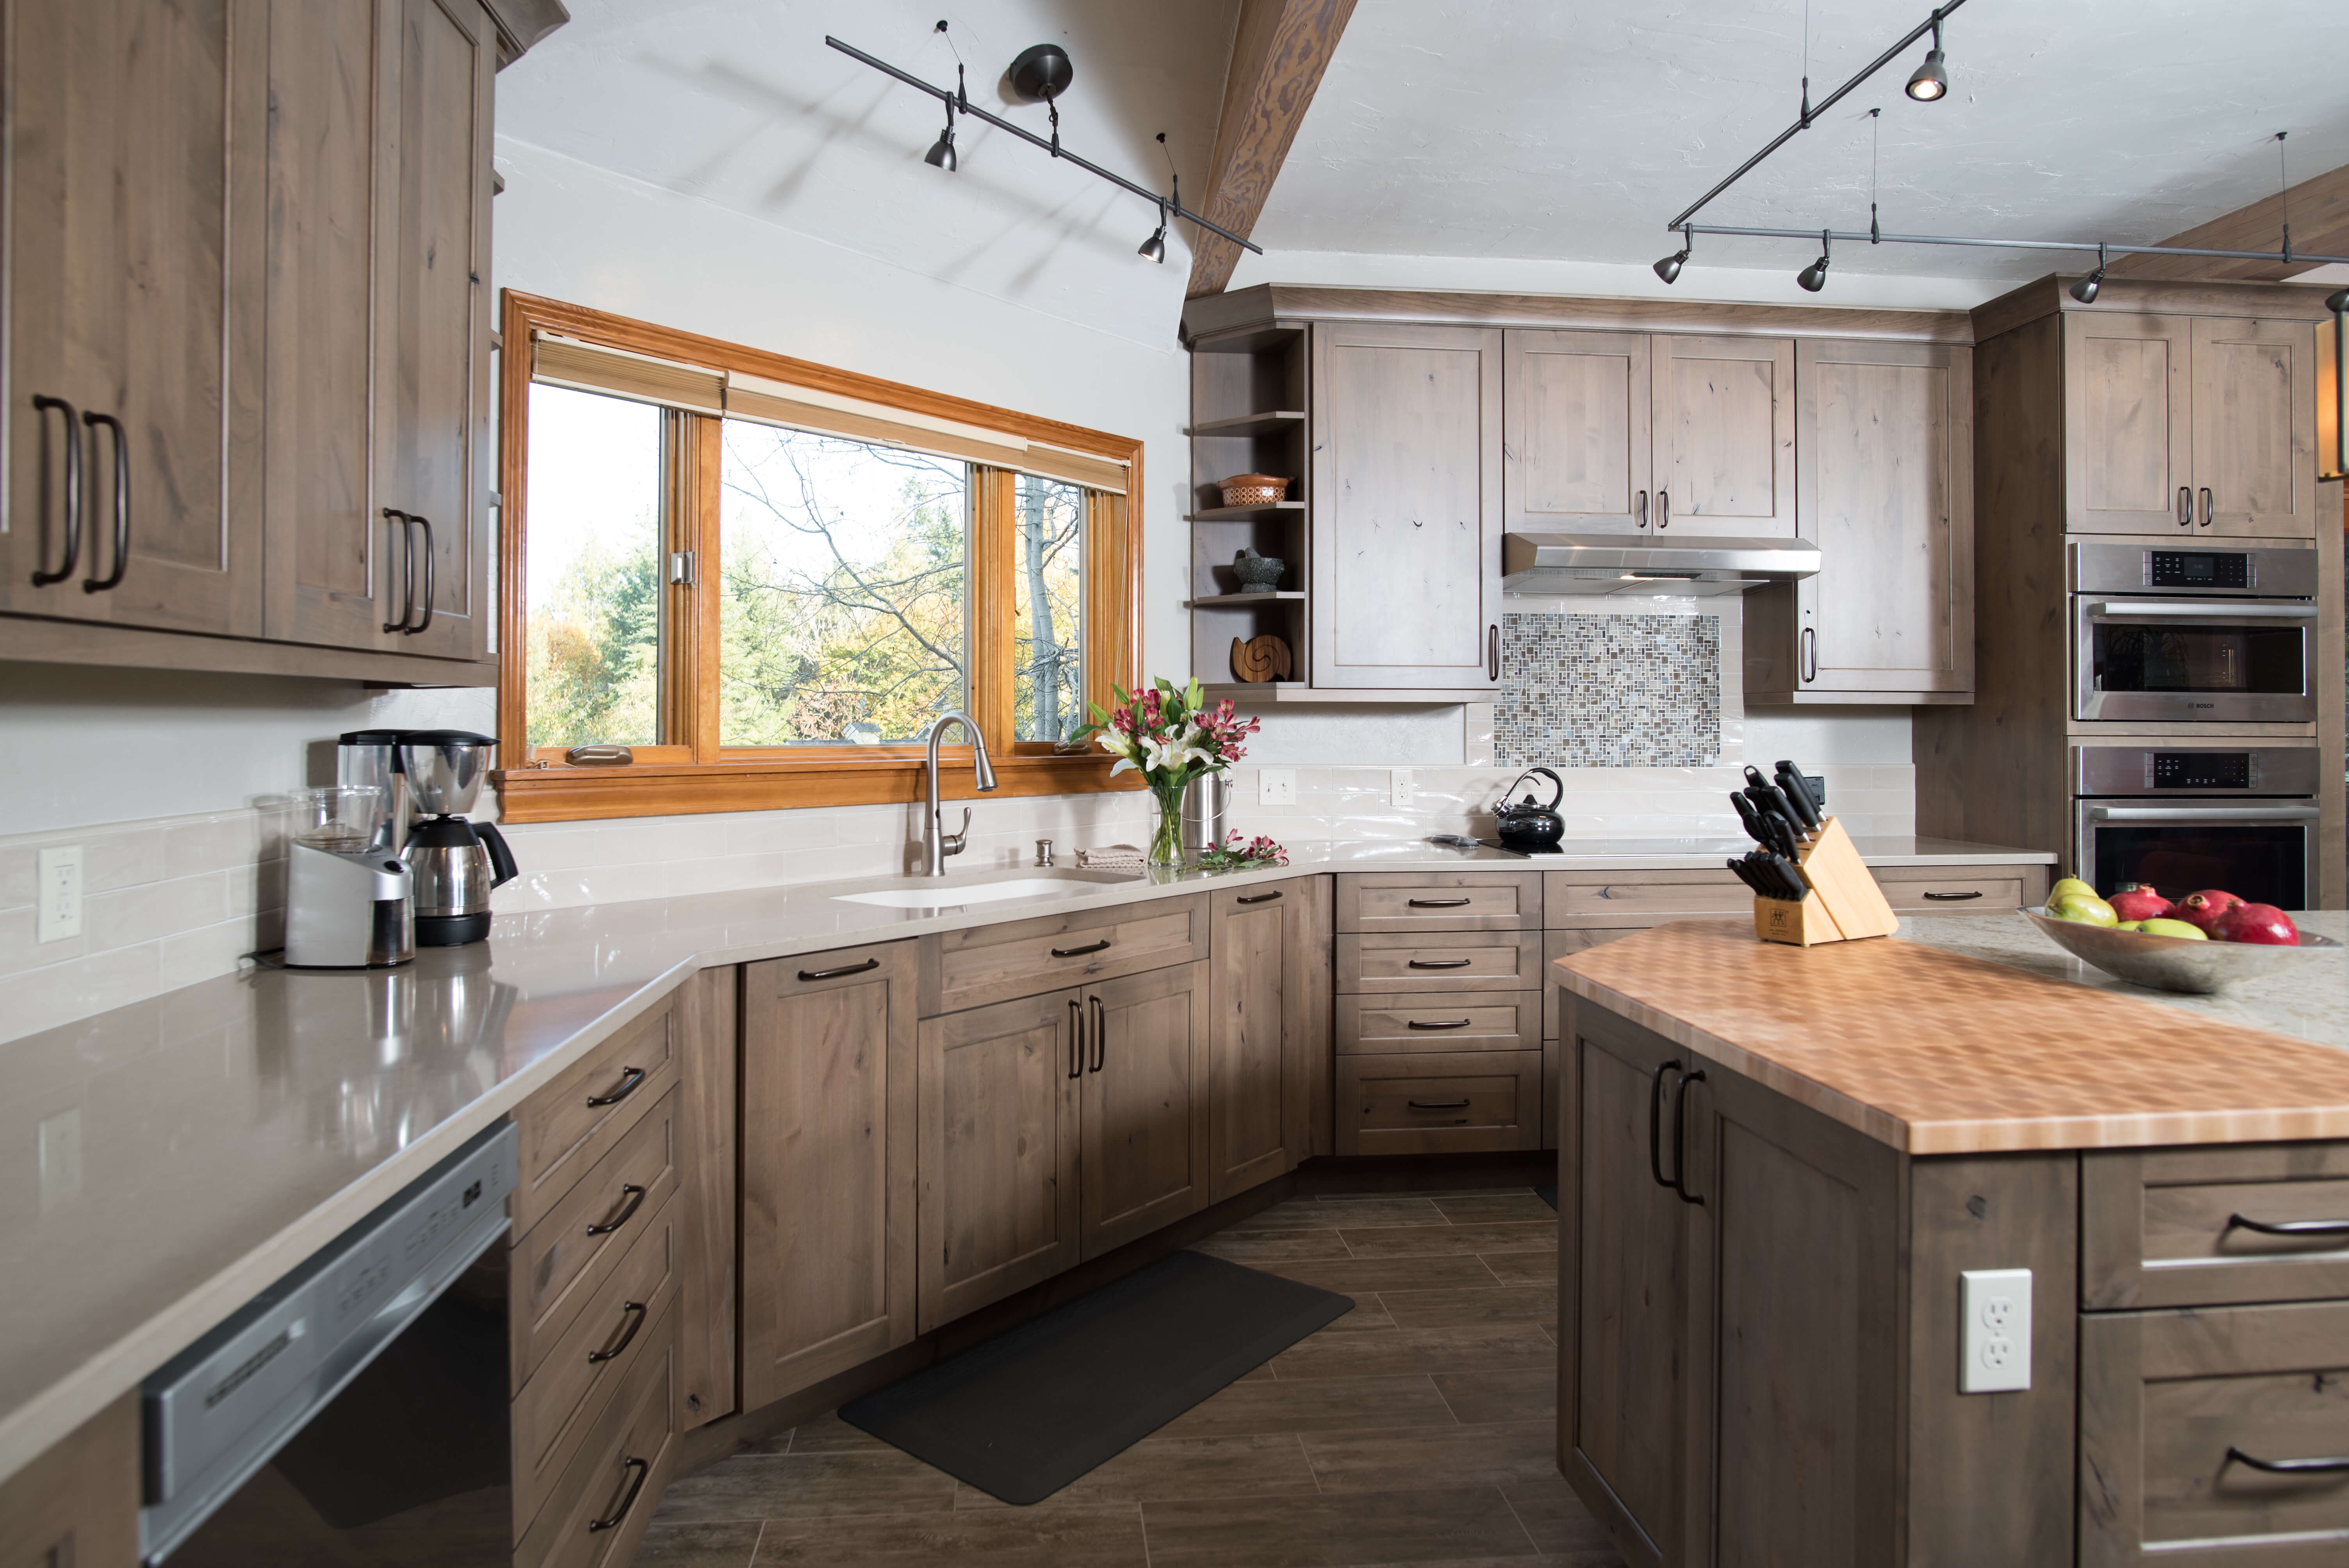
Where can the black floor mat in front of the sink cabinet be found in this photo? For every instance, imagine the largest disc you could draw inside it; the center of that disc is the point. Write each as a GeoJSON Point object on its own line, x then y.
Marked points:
{"type": "Point", "coordinates": [1042, 1405]}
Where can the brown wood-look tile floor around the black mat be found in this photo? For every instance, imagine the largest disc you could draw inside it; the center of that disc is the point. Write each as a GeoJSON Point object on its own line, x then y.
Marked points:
{"type": "Point", "coordinates": [1413, 1431]}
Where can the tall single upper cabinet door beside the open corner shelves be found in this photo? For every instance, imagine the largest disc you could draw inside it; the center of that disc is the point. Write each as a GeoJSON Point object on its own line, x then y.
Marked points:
{"type": "Point", "coordinates": [1406, 508]}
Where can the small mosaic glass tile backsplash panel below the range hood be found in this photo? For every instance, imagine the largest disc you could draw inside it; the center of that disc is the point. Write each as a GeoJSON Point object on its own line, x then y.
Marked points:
{"type": "Point", "coordinates": [1610, 691]}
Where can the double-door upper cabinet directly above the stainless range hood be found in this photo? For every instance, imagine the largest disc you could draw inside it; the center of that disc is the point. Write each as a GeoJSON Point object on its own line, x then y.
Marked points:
{"type": "Point", "coordinates": [1650, 433]}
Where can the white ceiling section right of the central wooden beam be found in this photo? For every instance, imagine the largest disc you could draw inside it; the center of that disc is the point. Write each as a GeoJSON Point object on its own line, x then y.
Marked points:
{"type": "Point", "coordinates": [1577, 130]}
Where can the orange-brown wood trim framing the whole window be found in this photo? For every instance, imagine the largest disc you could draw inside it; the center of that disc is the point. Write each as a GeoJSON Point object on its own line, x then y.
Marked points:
{"type": "Point", "coordinates": [699, 776]}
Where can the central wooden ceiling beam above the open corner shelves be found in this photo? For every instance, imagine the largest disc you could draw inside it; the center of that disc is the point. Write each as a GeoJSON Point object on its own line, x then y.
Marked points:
{"type": "Point", "coordinates": [1279, 55]}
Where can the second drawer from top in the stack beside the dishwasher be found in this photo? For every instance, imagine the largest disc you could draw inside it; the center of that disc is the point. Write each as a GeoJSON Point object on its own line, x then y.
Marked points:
{"type": "Point", "coordinates": [567, 1257]}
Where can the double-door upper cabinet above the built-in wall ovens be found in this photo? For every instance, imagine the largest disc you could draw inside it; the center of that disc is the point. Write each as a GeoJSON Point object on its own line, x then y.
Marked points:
{"type": "Point", "coordinates": [2190, 426]}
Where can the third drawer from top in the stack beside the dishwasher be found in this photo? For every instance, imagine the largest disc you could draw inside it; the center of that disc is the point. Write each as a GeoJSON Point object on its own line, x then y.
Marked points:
{"type": "Point", "coordinates": [593, 1358]}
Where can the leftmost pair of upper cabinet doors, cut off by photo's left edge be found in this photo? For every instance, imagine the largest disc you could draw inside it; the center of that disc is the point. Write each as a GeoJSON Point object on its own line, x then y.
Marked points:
{"type": "Point", "coordinates": [121, 372]}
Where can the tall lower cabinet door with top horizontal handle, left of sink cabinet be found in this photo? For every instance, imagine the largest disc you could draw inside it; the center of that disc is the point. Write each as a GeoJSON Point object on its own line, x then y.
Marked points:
{"type": "Point", "coordinates": [828, 1165]}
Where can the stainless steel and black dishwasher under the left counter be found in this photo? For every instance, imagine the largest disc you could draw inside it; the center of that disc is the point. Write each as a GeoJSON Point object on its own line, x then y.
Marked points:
{"type": "Point", "coordinates": [358, 1412]}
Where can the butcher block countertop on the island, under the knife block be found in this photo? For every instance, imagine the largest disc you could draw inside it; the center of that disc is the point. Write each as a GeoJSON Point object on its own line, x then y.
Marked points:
{"type": "Point", "coordinates": [1939, 1053]}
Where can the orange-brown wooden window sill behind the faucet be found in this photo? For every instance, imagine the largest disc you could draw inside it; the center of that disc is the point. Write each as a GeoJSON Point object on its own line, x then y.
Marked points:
{"type": "Point", "coordinates": [682, 790]}
